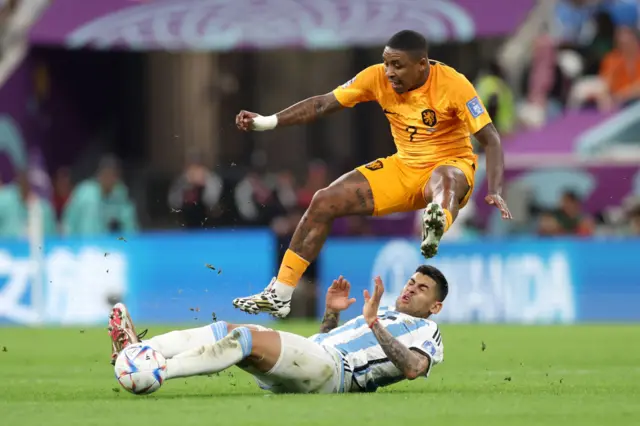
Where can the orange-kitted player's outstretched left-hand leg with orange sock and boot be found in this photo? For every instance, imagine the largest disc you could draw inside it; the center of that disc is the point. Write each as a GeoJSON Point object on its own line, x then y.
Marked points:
{"type": "Point", "coordinates": [351, 194]}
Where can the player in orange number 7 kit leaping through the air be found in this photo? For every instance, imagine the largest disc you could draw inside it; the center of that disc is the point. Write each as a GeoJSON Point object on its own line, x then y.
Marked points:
{"type": "Point", "coordinates": [432, 110]}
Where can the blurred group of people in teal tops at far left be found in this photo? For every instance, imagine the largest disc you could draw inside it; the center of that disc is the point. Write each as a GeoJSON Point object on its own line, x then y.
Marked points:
{"type": "Point", "coordinates": [94, 206]}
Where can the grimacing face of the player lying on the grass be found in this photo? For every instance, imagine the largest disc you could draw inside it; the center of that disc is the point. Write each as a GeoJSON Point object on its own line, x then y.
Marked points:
{"type": "Point", "coordinates": [419, 298]}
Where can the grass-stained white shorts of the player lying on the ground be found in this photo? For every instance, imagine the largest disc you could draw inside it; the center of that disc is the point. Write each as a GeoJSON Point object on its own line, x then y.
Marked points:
{"type": "Point", "coordinates": [303, 367]}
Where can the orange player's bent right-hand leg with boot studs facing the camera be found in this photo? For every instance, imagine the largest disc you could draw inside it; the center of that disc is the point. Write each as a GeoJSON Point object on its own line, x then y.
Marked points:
{"type": "Point", "coordinates": [446, 192]}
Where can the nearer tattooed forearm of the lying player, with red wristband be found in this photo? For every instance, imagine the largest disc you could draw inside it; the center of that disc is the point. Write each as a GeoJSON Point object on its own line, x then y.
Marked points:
{"type": "Point", "coordinates": [411, 363]}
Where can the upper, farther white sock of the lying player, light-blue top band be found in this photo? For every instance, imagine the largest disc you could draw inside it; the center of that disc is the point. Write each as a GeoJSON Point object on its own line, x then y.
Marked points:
{"type": "Point", "coordinates": [176, 342]}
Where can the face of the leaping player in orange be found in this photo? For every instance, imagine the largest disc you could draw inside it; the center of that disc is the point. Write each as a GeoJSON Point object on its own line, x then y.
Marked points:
{"type": "Point", "coordinates": [403, 71]}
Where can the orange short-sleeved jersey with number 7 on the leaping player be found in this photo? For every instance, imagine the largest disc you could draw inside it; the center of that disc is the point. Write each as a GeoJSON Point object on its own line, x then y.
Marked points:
{"type": "Point", "coordinates": [429, 124]}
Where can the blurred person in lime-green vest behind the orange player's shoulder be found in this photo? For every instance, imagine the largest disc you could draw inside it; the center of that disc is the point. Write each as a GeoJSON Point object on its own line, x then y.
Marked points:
{"type": "Point", "coordinates": [497, 97]}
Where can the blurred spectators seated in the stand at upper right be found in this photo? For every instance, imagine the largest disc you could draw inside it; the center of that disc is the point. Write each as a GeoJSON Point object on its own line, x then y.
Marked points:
{"type": "Point", "coordinates": [585, 55]}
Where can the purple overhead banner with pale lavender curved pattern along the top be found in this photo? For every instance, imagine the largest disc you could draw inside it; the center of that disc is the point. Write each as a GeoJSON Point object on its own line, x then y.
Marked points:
{"type": "Point", "coordinates": [235, 22]}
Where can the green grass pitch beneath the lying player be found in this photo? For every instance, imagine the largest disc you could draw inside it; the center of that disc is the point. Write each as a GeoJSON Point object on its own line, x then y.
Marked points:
{"type": "Point", "coordinates": [577, 375]}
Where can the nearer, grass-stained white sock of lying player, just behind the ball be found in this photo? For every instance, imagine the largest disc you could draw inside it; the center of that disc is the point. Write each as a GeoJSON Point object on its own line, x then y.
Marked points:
{"type": "Point", "coordinates": [212, 358]}
